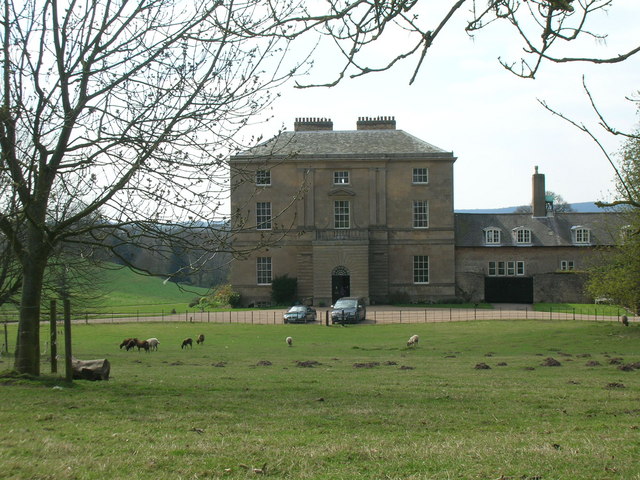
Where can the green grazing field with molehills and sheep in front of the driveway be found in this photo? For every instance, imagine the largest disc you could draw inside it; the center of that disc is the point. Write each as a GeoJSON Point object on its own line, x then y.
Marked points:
{"type": "Point", "coordinates": [341, 403]}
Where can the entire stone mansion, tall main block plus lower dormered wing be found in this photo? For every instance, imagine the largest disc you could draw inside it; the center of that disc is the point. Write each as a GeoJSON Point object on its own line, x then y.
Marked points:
{"type": "Point", "coordinates": [369, 213]}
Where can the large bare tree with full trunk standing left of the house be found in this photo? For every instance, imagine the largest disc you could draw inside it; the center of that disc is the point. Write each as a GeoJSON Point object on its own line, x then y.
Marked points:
{"type": "Point", "coordinates": [129, 109]}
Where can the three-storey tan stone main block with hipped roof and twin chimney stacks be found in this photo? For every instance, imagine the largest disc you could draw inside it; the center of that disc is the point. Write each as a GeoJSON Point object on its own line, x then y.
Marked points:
{"type": "Point", "coordinates": [343, 219]}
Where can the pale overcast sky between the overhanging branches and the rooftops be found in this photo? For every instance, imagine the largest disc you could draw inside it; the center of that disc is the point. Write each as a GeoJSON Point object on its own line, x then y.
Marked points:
{"type": "Point", "coordinates": [464, 101]}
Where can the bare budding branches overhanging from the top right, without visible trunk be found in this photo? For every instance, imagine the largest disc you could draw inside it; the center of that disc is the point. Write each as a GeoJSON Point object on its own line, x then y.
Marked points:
{"type": "Point", "coordinates": [544, 28]}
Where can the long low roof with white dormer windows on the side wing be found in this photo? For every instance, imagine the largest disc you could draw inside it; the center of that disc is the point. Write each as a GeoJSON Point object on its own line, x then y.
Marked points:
{"type": "Point", "coordinates": [550, 231]}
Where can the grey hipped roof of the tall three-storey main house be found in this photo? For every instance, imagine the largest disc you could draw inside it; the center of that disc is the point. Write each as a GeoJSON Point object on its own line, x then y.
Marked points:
{"type": "Point", "coordinates": [344, 144]}
